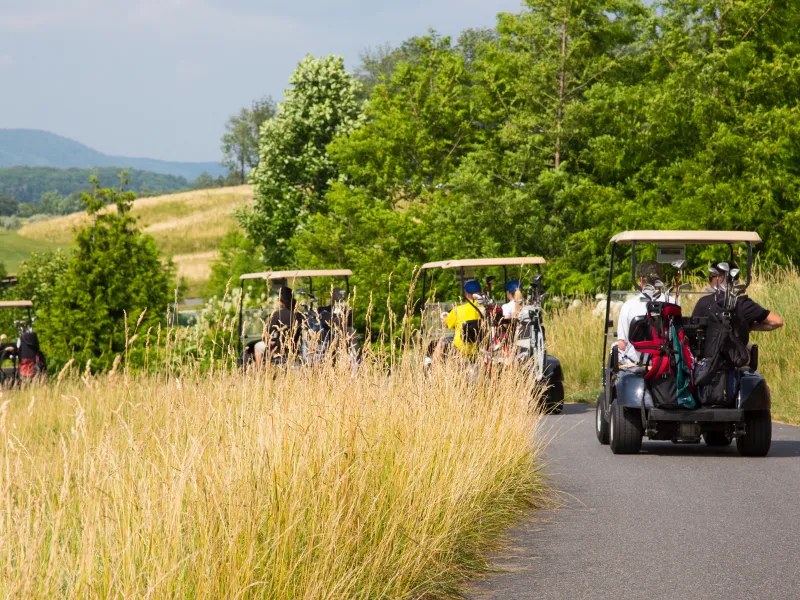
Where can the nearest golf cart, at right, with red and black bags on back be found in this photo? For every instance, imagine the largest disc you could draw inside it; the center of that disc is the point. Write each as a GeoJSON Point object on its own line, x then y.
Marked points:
{"type": "Point", "coordinates": [665, 395]}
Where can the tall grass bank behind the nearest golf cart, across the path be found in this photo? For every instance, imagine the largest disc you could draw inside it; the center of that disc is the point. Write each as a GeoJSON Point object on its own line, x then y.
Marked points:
{"type": "Point", "coordinates": [575, 337]}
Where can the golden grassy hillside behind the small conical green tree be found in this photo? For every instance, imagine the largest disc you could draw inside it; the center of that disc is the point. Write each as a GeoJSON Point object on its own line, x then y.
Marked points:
{"type": "Point", "coordinates": [188, 226]}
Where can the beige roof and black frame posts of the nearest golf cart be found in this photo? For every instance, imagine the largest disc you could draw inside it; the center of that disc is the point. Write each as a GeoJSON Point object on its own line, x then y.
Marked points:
{"type": "Point", "coordinates": [709, 238]}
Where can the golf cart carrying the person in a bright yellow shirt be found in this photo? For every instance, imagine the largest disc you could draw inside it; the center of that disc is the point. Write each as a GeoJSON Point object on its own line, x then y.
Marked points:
{"type": "Point", "coordinates": [521, 338]}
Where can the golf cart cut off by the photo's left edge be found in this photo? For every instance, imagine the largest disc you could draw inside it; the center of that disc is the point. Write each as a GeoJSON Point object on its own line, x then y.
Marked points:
{"type": "Point", "coordinates": [21, 361]}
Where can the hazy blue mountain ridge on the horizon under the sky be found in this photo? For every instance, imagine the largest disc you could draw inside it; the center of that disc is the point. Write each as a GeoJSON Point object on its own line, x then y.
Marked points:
{"type": "Point", "coordinates": [36, 148]}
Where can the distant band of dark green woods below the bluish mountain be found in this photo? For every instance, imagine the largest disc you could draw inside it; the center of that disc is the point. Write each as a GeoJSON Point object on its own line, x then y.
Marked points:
{"type": "Point", "coordinates": [28, 184]}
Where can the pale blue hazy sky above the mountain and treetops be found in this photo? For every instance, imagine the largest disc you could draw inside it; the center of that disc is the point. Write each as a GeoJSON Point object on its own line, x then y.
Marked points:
{"type": "Point", "coordinates": [158, 78]}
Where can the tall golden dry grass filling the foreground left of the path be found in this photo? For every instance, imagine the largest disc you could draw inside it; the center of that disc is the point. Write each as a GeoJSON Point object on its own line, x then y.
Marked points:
{"type": "Point", "coordinates": [306, 483]}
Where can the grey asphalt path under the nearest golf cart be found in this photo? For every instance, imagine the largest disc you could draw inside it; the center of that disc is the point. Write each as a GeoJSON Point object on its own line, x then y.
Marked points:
{"type": "Point", "coordinates": [687, 522]}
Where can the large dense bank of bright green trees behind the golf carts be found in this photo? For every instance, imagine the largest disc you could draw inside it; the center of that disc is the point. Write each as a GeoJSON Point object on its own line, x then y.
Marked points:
{"type": "Point", "coordinates": [570, 122]}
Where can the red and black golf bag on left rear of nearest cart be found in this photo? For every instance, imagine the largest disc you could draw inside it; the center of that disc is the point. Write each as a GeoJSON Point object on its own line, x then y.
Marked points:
{"type": "Point", "coordinates": [658, 336]}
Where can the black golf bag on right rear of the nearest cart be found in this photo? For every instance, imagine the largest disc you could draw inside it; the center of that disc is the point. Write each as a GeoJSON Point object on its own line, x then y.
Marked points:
{"type": "Point", "coordinates": [723, 352]}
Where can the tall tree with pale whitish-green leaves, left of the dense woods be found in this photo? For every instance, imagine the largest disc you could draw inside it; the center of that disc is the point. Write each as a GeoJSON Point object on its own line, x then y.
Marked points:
{"type": "Point", "coordinates": [294, 169]}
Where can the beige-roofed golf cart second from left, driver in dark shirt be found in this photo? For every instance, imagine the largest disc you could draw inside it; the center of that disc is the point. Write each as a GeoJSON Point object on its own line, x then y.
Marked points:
{"type": "Point", "coordinates": [319, 324]}
